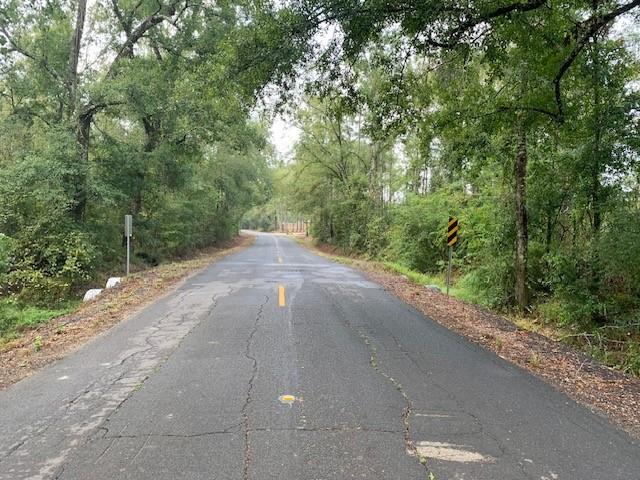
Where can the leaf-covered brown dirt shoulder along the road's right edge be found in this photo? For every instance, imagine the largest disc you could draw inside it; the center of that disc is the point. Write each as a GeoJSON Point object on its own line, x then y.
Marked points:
{"type": "Point", "coordinates": [600, 388]}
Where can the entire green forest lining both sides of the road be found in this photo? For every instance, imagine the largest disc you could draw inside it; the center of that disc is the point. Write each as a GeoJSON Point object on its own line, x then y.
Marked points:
{"type": "Point", "coordinates": [518, 117]}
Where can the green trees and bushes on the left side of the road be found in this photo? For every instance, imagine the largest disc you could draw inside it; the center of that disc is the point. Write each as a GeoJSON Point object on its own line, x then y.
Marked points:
{"type": "Point", "coordinates": [162, 132]}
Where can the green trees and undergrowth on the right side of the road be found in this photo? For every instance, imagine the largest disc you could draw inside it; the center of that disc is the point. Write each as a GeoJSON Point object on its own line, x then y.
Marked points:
{"type": "Point", "coordinates": [393, 144]}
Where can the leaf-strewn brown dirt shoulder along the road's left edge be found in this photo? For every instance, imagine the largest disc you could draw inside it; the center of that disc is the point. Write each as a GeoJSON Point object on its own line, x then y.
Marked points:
{"type": "Point", "coordinates": [49, 342]}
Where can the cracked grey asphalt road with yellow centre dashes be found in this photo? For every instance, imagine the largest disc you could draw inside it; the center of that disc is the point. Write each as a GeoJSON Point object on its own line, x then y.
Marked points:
{"type": "Point", "coordinates": [276, 363]}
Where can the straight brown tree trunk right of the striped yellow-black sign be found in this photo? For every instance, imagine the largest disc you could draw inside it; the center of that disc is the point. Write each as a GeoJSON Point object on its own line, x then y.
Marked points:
{"type": "Point", "coordinates": [522, 234]}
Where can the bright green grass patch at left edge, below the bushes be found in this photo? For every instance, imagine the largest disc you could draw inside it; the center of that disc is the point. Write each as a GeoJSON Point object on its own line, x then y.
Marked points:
{"type": "Point", "coordinates": [16, 318]}
